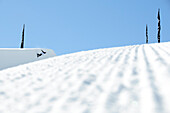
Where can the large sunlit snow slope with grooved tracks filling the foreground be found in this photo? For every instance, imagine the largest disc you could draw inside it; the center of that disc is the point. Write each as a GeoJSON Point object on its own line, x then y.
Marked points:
{"type": "Point", "coordinates": [132, 79]}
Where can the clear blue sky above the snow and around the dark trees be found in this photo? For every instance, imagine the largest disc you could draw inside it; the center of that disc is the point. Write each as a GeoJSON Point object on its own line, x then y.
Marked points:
{"type": "Point", "coordinates": [68, 26]}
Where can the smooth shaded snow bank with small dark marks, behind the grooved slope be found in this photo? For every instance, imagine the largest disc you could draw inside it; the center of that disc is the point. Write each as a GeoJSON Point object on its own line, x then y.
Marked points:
{"type": "Point", "coordinates": [14, 57]}
